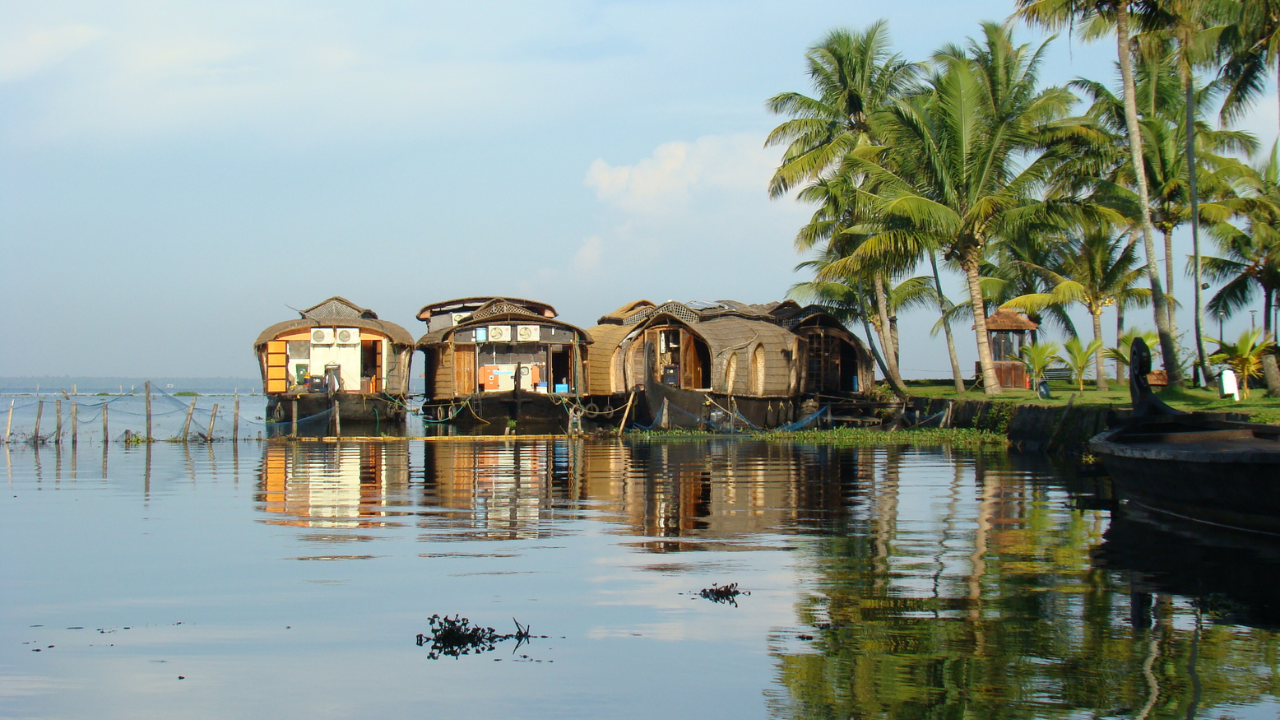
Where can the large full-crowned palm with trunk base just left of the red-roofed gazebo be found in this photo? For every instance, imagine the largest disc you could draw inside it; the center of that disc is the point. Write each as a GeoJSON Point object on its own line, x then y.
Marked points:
{"type": "Point", "coordinates": [956, 170]}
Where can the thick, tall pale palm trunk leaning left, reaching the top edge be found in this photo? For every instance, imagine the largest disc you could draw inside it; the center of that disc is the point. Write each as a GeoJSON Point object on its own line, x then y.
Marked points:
{"type": "Point", "coordinates": [1168, 354]}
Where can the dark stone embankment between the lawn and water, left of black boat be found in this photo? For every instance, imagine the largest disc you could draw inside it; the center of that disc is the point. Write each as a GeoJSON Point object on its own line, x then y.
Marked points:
{"type": "Point", "coordinates": [1062, 429]}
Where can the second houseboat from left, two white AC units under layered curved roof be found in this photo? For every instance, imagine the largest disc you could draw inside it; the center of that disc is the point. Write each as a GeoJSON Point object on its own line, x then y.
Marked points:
{"type": "Point", "coordinates": [502, 362]}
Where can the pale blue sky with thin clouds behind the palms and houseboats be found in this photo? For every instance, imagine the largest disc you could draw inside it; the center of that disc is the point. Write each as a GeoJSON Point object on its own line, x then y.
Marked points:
{"type": "Point", "coordinates": [177, 176]}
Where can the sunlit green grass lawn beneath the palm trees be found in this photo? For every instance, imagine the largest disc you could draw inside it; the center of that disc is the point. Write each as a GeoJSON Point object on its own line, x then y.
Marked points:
{"type": "Point", "coordinates": [1260, 408]}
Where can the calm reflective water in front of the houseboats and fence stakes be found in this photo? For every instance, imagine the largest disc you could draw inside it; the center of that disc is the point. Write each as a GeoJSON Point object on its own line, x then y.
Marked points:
{"type": "Point", "coordinates": [292, 581]}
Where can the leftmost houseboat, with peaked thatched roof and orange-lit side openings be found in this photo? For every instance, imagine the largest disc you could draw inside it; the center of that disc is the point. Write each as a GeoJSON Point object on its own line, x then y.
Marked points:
{"type": "Point", "coordinates": [336, 359]}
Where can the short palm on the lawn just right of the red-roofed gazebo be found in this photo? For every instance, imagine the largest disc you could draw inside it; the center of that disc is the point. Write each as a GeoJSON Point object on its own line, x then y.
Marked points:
{"type": "Point", "coordinates": [1096, 271]}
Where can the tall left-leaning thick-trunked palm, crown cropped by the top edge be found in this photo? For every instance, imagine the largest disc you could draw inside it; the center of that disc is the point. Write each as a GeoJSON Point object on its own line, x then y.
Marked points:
{"type": "Point", "coordinates": [1055, 15]}
